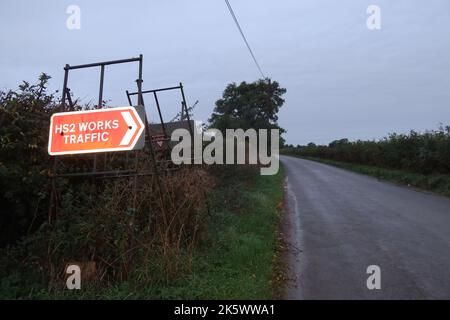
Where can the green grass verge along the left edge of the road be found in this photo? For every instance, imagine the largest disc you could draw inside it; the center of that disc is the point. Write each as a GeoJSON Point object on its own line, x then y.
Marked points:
{"type": "Point", "coordinates": [241, 261]}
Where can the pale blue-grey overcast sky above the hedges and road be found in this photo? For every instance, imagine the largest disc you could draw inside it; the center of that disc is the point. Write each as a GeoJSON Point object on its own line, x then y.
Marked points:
{"type": "Point", "coordinates": [342, 79]}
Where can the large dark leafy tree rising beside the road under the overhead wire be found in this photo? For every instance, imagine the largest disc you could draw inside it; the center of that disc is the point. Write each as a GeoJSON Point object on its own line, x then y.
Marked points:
{"type": "Point", "coordinates": [249, 105]}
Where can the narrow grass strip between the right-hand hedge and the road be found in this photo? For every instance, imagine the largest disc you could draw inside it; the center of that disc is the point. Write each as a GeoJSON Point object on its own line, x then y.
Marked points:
{"type": "Point", "coordinates": [436, 183]}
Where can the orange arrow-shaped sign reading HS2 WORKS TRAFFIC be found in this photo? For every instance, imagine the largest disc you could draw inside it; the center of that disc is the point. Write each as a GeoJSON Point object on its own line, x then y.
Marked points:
{"type": "Point", "coordinates": [102, 130]}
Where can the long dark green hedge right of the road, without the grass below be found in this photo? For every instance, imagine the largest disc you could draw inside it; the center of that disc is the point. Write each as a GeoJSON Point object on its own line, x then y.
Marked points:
{"type": "Point", "coordinates": [425, 153]}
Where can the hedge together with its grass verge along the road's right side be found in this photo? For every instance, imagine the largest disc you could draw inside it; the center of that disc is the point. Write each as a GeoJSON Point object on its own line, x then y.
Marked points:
{"type": "Point", "coordinates": [417, 159]}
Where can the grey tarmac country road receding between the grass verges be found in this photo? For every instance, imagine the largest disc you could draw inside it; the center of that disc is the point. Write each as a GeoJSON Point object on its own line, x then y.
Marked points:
{"type": "Point", "coordinates": [339, 223]}
